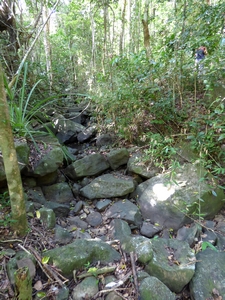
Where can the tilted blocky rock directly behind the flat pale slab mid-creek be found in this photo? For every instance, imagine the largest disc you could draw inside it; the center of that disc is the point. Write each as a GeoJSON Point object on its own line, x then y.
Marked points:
{"type": "Point", "coordinates": [90, 165]}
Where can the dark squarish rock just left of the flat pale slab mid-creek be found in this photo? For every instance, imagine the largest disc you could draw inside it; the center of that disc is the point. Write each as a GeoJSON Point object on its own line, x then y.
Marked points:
{"type": "Point", "coordinates": [59, 192]}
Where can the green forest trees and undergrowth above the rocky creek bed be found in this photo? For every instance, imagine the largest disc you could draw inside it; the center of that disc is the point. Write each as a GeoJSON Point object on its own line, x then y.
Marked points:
{"type": "Point", "coordinates": [134, 59]}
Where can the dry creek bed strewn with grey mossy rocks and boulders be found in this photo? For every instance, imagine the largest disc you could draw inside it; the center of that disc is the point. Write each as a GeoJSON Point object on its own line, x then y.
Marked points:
{"type": "Point", "coordinates": [107, 224]}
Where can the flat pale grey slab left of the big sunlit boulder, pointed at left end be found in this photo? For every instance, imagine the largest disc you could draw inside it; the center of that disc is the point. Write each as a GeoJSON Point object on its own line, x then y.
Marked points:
{"type": "Point", "coordinates": [108, 186]}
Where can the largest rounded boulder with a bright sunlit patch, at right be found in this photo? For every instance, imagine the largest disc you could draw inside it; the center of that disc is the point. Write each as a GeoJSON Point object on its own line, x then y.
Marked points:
{"type": "Point", "coordinates": [169, 199]}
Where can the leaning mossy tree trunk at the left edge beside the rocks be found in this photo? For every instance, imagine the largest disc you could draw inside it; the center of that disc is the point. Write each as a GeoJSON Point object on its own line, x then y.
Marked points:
{"type": "Point", "coordinates": [13, 177]}
